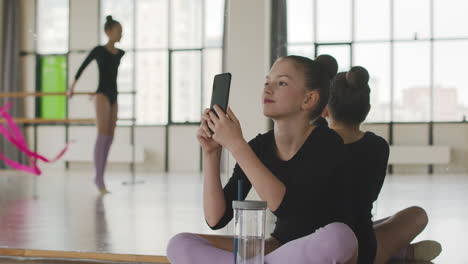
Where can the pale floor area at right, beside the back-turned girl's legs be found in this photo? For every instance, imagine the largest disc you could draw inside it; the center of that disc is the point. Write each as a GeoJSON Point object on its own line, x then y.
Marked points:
{"type": "Point", "coordinates": [445, 198]}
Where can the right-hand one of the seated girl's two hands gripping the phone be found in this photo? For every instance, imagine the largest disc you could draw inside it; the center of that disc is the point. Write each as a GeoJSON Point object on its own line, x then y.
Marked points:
{"type": "Point", "coordinates": [226, 128]}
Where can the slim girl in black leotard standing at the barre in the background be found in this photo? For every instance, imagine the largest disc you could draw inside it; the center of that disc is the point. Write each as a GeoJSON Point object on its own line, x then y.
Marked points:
{"type": "Point", "coordinates": [108, 59]}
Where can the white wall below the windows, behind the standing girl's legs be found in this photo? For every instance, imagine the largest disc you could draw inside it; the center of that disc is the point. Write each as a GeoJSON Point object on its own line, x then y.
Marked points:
{"type": "Point", "coordinates": [184, 151]}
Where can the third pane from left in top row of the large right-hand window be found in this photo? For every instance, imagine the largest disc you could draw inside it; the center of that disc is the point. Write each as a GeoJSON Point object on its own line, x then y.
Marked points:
{"type": "Point", "coordinates": [372, 19]}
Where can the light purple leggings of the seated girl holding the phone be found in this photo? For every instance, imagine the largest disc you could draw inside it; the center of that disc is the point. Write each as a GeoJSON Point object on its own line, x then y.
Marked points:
{"type": "Point", "coordinates": [332, 244]}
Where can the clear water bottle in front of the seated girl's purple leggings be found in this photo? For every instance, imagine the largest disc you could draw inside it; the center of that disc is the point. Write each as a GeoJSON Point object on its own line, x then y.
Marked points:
{"type": "Point", "coordinates": [249, 231]}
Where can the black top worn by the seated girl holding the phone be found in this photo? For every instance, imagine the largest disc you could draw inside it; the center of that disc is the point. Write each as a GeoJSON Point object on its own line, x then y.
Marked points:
{"type": "Point", "coordinates": [316, 185]}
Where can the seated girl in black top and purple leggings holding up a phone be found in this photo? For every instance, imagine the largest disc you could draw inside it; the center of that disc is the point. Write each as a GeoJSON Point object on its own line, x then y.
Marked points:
{"type": "Point", "coordinates": [297, 168]}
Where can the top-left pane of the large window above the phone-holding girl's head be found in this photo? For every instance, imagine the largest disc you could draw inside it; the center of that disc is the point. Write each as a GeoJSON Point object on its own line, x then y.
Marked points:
{"type": "Point", "coordinates": [300, 21]}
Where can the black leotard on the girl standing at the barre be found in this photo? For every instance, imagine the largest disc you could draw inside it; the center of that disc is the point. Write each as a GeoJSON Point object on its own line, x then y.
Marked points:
{"type": "Point", "coordinates": [108, 65]}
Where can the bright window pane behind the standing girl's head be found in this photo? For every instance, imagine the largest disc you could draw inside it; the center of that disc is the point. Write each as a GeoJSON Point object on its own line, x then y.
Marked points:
{"type": "Point", "coordinates": [122, 11]}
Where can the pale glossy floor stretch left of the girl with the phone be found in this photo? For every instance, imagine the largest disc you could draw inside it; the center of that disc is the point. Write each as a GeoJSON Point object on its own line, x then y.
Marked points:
{"type": "Point", "coordinates": [62, 211]}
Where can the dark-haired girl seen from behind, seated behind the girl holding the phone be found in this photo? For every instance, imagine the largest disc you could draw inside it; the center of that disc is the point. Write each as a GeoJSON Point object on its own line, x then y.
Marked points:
{"type": "Point", "coordinates": [367, 158]}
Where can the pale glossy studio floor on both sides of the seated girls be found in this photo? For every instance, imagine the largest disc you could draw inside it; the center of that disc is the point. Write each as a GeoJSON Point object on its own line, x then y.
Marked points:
{"type": "Point", "coordinates": [60, 214]}
